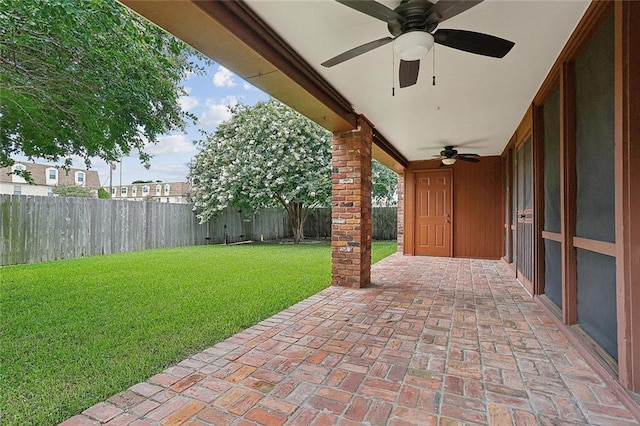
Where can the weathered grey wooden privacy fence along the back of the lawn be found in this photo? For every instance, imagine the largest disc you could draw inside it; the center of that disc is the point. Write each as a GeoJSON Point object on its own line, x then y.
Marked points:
{"type": "Point", "coordinates": [38, 229]}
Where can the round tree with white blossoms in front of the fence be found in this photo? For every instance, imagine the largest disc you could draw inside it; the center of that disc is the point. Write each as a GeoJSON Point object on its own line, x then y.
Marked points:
{"type": "Point", "coordinates": [265, 155]}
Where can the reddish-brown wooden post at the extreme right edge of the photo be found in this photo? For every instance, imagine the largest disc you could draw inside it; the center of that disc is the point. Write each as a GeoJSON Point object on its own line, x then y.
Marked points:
{"type": "Point", "coordinates": [627, 182]}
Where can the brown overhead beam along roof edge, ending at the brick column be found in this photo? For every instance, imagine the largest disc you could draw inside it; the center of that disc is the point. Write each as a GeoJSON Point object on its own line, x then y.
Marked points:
{"type": "Point", "coordinates": [232, 35]}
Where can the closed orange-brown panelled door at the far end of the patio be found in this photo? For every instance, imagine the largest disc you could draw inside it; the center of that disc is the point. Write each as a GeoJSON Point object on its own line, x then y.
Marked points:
{"type": "Point", "coordinates": [434, 213]}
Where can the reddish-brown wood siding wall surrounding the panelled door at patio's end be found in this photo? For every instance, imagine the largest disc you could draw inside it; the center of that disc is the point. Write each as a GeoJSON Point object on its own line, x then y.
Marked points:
{"type": "Point", "coordinates": [477, 207]}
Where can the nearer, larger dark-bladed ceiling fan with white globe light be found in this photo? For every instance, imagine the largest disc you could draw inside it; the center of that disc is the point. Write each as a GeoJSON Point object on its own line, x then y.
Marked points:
{"type": "Point", "coordinates": [412, 25]}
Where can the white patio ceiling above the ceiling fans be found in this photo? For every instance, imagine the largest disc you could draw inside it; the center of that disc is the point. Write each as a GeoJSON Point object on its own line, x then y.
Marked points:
{"type": "Point", "coordinates": [477, 102]}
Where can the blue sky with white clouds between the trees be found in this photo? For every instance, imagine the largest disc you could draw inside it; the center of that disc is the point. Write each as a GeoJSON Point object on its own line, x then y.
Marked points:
{"type": "Point", "coordinates": [208, 98]}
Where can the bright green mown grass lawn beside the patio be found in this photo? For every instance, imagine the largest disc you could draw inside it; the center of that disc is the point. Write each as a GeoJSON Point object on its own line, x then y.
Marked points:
{"type": "Point", "coordinates": [74, 332]}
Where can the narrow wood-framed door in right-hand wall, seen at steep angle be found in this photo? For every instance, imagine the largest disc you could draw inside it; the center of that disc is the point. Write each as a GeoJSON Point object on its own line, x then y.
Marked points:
{"type": "Point", "coordinates": [524, 214]}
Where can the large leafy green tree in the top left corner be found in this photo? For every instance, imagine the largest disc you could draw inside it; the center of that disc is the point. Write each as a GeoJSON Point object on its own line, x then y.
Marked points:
{"type": "Point", "coordinates": [86, 77]}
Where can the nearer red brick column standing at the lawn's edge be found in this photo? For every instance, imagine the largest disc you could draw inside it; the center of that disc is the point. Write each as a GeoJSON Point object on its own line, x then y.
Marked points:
{"type": "Point", "coordinates": [351, 227]}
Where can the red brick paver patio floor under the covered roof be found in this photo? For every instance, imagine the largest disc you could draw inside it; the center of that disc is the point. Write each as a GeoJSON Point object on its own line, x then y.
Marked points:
{"type": "Point", "coordinates": [432, 341]}
